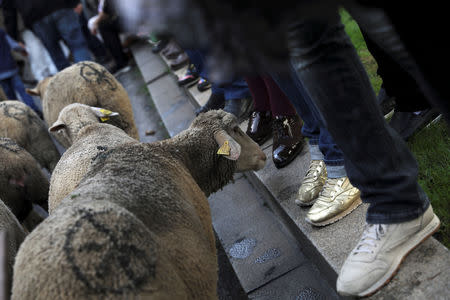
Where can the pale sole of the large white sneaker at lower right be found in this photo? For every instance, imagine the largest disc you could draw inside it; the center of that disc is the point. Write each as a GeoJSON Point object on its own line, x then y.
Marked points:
{"type": "Point", "coordinates": [416, 240]}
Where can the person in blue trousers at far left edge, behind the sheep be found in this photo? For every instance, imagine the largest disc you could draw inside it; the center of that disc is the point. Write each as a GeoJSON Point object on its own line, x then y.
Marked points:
{"type": "Point", "coordinates": [9, 74]}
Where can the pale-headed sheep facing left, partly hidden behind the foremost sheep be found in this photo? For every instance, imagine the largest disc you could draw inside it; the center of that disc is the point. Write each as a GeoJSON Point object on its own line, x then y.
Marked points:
{"type": "Point", "coordinates": [81, 123]}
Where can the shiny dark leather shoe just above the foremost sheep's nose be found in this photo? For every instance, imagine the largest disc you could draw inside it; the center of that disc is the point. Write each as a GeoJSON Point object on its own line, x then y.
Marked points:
{"type": "Point", "coordinates": [260, 126]}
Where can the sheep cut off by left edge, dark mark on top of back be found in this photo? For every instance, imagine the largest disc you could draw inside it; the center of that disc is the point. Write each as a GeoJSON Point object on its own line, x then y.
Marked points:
{"type": "Point", "coordinates": [21, 124]}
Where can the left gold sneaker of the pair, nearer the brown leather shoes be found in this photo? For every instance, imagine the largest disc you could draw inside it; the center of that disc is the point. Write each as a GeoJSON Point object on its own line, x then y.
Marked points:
{"type": "Point", "coordinates": [312, 183]}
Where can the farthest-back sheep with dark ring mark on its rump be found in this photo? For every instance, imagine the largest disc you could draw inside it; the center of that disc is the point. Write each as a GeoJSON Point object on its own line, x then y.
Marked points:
{"type": "Point", "coordinates": [88, 83]}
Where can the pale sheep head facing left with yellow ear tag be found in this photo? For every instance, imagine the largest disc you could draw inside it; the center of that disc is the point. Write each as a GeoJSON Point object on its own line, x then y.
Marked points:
{"type": "Point", "coordinates": [76, 116]}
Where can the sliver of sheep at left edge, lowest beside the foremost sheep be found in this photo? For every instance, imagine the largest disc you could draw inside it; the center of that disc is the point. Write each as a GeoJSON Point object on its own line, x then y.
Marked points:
{"type": "Point", "coordinates": [13, 236]}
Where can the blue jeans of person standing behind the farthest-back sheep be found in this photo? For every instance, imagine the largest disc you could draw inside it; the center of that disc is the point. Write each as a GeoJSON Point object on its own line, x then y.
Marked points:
{"type": "Point", "coordinates": [62, 24]}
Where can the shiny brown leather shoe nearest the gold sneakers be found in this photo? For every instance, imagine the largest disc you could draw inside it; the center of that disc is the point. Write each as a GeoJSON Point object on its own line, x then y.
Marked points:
{"type": "Point", "coordinates": [288, 140]}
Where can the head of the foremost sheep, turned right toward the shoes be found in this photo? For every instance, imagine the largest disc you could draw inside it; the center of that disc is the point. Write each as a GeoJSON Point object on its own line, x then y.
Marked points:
{"type": "Point", "coordinates": [232, 142]}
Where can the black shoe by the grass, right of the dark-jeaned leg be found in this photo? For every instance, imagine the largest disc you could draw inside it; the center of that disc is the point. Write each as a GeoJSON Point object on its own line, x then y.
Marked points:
{"type": "Point", "coordinates": [407, 123]}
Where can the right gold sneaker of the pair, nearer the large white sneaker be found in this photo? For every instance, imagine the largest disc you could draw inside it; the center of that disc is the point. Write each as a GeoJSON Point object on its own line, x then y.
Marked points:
{"type": "Point", "coordinates": [337, 199]}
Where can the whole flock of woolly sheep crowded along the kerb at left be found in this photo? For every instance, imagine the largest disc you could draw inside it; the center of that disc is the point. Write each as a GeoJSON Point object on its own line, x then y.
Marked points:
{"type": "Point", "coordinates": [126, 220]}
